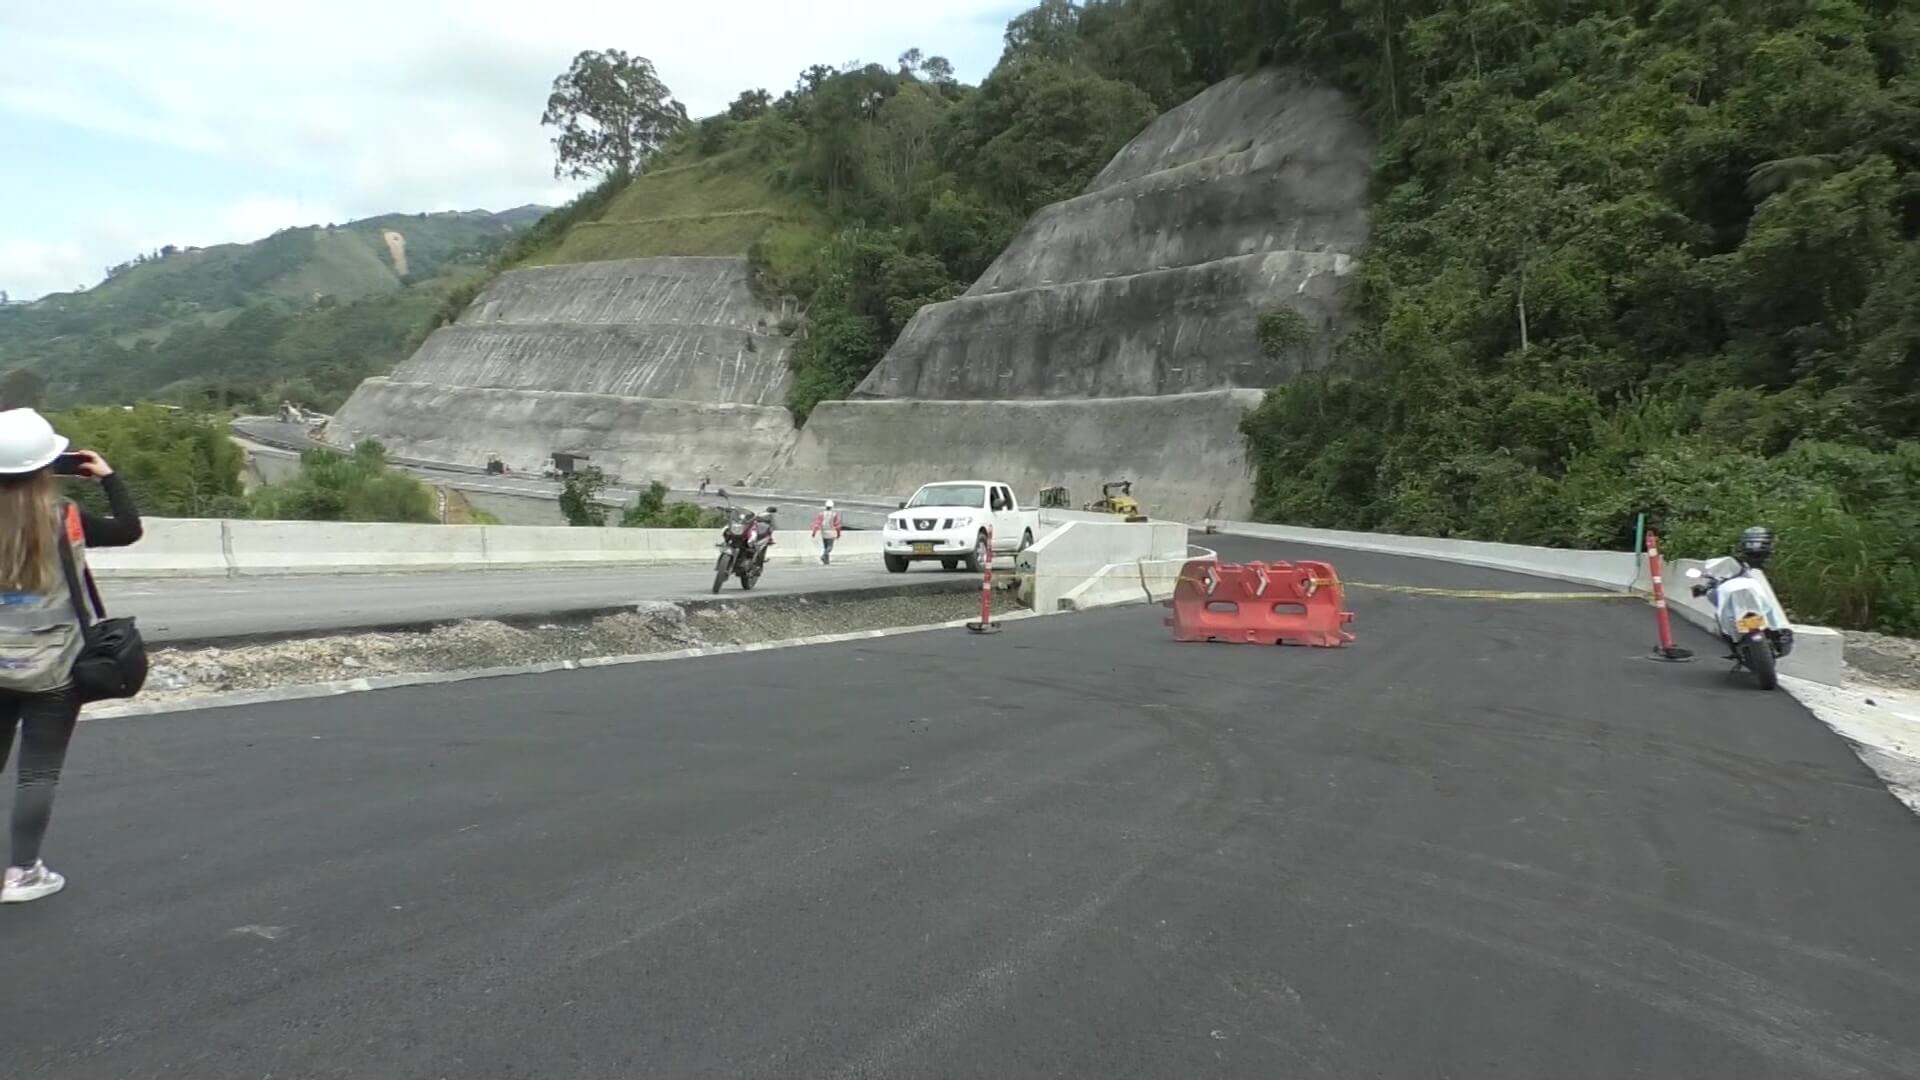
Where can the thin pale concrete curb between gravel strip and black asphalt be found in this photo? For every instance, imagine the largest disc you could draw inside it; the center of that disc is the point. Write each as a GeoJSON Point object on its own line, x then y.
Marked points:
{"type": "Point", "coordinates": [441, 677]}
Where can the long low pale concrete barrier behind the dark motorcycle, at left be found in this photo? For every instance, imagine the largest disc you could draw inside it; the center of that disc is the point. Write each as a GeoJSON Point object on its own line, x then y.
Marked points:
{"type": "Point", "coordinates": [251, 549]}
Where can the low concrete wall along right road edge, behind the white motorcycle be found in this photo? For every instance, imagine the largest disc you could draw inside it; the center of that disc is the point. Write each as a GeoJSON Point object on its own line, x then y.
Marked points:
{"type": "Point", "coordinates": [1817, 650]}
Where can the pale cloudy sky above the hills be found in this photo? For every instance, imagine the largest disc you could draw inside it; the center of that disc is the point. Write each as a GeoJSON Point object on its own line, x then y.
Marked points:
{"type": "Point", "coordinates": [135, 124]}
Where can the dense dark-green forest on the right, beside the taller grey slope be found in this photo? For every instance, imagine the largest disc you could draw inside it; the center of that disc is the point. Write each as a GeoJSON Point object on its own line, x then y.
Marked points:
{"type": "Point", "coordinates": [1629, 258]}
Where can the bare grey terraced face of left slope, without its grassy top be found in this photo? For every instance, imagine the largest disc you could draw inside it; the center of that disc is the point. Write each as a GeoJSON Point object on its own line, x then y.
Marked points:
{"type": "Point", "coordinates": [658, 368]}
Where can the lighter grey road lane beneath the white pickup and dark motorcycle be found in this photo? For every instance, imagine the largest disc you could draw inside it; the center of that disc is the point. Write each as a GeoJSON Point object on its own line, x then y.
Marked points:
{"type": "Point", "coordinates": [174, 610]}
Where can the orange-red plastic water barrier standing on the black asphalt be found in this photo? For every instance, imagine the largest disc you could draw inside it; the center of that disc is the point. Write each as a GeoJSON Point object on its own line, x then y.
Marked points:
{"type": "Point", "coordinates": [1264, 604]}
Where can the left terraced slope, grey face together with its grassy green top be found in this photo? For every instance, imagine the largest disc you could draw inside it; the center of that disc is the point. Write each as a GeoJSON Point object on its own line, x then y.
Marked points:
{"type": "Point", "coordinates": [636, 339]}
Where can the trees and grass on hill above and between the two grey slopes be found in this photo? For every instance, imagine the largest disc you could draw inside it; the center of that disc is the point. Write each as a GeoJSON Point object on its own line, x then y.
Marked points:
{"type": "Point", "coordinates": [863, 193]}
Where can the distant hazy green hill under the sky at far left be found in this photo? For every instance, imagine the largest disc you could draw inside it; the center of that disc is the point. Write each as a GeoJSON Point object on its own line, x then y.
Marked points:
{"type": "Point", "coordinates": [304, 314]}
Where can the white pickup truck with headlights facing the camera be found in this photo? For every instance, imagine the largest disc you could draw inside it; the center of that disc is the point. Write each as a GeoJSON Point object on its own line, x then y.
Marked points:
{"type": "Point", "coordinates": [951, 522]}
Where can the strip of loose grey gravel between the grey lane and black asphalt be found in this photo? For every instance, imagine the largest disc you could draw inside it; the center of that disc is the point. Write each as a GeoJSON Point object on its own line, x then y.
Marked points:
{"type": "Point", "coordinates": [648, 629]}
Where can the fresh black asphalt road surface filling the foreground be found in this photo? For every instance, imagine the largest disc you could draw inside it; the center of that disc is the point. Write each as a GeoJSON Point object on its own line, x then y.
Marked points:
{"type": "Point", "coordinates": [1487, 841]}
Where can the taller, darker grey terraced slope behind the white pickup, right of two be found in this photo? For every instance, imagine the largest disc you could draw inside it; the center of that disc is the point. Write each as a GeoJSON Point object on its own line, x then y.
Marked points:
{"type": "Point", "coordinates": [1120, 333]}
